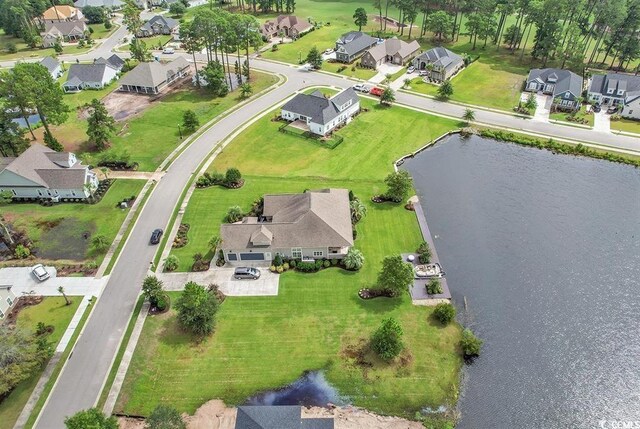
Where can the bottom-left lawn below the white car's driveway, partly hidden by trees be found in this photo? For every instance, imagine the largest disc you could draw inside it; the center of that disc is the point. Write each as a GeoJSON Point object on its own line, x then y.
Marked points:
{"type": "Point", "coordinates": [51, 311]}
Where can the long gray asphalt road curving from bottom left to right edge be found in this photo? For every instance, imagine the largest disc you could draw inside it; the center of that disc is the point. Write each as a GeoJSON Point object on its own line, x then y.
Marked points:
{"type": "Point", "coordinates": [81, 382]}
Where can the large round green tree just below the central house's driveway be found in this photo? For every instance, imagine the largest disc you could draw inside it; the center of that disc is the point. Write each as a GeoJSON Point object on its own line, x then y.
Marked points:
{"type": "Point", "coordinates": [197, 309]}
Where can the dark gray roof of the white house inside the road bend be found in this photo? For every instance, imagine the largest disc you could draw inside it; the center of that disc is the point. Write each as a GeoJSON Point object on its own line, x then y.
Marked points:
{"type": "Point", "coordinates": [317, 107]}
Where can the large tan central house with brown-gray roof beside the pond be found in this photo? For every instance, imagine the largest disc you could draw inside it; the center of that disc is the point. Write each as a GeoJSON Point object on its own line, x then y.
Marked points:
{"type": "Point", "coordinates": [311, 225]}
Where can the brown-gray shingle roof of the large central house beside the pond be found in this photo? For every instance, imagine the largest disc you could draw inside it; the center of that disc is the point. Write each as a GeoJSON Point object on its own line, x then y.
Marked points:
{"type": "Point", "coordinates": [312, 219]}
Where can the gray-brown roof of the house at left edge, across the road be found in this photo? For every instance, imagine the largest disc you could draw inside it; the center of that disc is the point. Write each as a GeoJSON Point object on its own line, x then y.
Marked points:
{"type": "Point", "coordinates": [47, 168]}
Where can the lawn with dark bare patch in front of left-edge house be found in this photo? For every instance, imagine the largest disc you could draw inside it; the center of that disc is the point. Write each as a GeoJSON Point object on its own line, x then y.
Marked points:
{"type": "Point", "coordinates": [57, 231]}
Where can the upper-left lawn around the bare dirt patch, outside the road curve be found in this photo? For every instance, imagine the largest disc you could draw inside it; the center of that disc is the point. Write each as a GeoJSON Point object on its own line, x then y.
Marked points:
{"type": "Point", "coordinates": [152, 135]}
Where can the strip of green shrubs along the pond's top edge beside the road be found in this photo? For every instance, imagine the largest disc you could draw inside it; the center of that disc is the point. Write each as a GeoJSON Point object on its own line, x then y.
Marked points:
{"type": "Point", "coordinates": [557, 147]}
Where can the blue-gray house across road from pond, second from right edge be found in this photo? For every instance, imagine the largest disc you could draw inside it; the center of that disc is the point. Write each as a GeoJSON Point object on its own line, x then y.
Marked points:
{"type": "Point", "coordinates": [563, 85]}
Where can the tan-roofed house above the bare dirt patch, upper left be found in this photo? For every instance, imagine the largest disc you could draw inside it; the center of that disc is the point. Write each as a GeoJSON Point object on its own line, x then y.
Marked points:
{"type": "Point", "coordinates": [152, 78]}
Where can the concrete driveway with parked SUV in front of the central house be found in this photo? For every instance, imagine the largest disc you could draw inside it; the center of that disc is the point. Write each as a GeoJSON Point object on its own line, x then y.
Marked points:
{"type": "Point", "coordinates": [266, 285]}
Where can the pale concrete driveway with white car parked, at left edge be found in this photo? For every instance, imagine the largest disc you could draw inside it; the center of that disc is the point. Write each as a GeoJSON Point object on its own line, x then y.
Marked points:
{"type": "Point", "coordinates": [23, 282]}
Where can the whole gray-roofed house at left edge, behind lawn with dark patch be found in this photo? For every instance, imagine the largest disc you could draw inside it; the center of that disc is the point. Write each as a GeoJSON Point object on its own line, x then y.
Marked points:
{"type": "Point", "coordinates": [42, 173]}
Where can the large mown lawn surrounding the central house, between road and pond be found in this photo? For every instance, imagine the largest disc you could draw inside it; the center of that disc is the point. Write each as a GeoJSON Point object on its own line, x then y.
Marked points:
{"type": "Point", "coordinates": [263, 343]}
